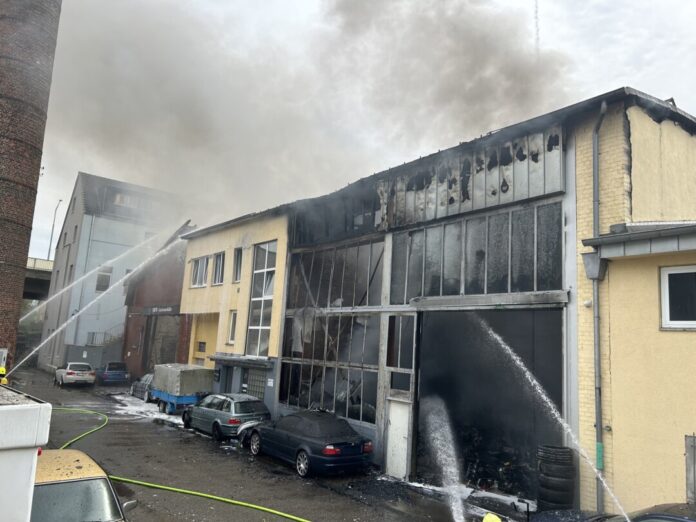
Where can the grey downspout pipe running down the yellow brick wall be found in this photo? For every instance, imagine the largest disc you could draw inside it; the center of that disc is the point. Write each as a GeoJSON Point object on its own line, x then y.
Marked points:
{"type": "Point", "coordinates": [599, 428]}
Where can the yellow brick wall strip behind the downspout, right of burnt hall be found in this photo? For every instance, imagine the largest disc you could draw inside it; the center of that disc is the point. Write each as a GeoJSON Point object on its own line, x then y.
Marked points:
{"type": "Point", "coordinates": [614, 208]}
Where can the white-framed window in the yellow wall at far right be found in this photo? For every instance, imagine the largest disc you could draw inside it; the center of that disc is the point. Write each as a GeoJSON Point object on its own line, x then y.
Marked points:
{"type": "Point", "coordinates": [678, 287]}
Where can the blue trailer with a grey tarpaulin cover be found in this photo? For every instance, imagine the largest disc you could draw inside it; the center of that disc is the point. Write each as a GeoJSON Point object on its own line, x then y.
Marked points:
{"type": "Point", "coordinates": [176, 386]}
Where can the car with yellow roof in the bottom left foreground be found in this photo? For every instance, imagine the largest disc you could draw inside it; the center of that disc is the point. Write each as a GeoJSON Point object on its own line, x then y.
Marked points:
{"type": "Point", "coordinates": [71, 487]}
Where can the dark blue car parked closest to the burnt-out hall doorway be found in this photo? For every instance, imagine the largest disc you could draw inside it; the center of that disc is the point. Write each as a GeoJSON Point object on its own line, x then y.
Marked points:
{"type": "Point", "coordinates": [314, 441]}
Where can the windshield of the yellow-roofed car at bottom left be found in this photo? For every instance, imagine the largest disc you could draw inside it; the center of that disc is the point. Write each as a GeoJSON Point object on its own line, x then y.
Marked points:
{"type": "Point", "coordinates": [75, 501]}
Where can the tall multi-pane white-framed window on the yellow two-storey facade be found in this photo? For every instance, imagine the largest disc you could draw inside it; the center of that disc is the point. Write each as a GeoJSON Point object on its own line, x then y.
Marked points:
{"type": "Point", "coordinates": [261, 305]}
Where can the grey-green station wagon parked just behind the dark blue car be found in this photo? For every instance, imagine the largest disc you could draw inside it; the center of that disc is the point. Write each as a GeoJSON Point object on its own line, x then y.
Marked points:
{"type": "Point", "coordinates": [221, 414]}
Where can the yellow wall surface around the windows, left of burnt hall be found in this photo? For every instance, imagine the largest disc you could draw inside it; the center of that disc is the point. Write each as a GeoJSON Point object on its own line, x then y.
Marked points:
{"type": "Point", "coordinates": [235, 295]}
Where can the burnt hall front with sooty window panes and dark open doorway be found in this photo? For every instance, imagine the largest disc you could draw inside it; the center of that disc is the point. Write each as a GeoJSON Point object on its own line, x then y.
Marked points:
{"type": "Point", "coordinates": [390, 277]}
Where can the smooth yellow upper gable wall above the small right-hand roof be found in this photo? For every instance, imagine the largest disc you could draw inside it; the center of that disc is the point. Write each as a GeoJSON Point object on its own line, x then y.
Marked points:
{"type": "Point", "coordinates": [663, 172]}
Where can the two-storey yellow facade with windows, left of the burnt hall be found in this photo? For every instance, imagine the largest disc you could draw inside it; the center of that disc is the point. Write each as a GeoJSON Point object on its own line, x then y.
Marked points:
{"type": "Point", "coordinates": [233, 289]}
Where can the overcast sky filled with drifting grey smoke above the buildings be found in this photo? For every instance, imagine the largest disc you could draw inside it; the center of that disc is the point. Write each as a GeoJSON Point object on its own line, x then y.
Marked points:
{"type": "Point", "coordinates": [240, 106]}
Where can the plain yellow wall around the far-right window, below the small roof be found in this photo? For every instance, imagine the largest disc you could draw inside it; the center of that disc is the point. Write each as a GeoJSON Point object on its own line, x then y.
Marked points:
{"type": "Point", "coordinates": [652, 385]}
